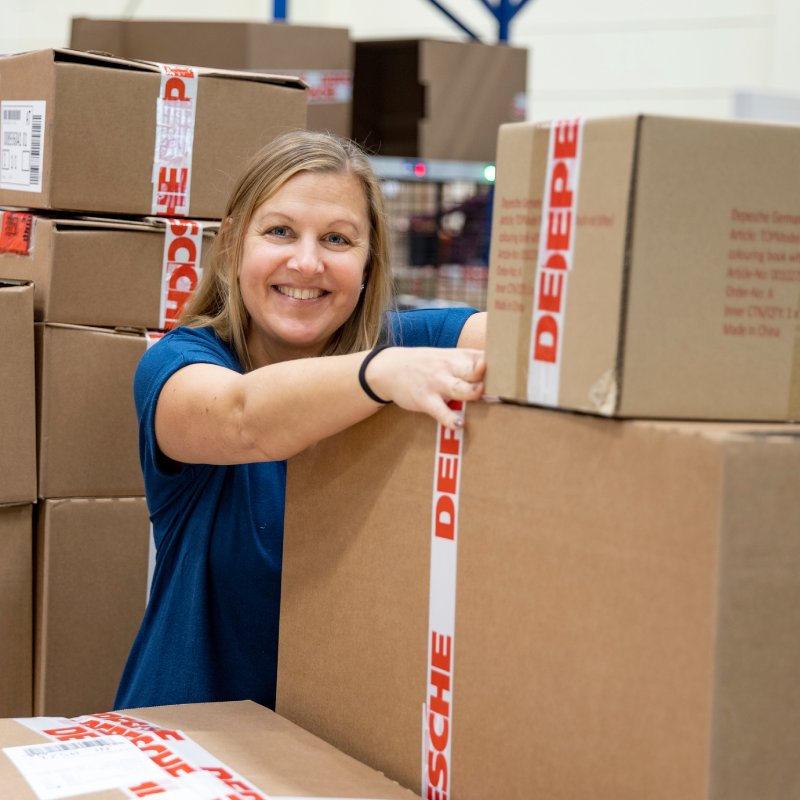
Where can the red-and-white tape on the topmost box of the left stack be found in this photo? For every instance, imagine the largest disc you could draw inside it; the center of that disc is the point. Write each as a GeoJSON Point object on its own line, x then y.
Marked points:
{"type": "Point", "coordinates": [172, 159]}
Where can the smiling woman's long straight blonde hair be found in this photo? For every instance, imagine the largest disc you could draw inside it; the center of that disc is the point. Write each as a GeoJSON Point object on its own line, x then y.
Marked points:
{"type": "Point", "coordinates": [217, 301]}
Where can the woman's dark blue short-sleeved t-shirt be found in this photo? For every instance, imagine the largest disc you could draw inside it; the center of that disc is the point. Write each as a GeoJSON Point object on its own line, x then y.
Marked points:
{"type": "Point", "coordinates": [210, 630]}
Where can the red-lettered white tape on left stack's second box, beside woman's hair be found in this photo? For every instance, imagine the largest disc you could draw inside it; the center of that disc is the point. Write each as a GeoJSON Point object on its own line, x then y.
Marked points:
{"type": "Point", "coordinates": [181, 272]}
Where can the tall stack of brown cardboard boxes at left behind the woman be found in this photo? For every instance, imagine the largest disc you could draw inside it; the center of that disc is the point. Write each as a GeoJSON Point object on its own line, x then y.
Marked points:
{"type": "Point", "coordinates": [114, 176]}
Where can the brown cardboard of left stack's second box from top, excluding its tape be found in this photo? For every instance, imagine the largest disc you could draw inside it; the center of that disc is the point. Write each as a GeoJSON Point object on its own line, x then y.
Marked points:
{"type": "Point", "coordinates": [93, 272]}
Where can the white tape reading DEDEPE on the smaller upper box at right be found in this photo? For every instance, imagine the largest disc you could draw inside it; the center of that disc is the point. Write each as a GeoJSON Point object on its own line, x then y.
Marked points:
{"type": "Point", "coordinates": [554, 261]}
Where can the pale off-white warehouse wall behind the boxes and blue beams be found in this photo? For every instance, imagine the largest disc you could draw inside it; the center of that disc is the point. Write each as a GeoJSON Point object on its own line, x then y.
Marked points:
{"type": "Point", "coordinates": [719, 58]}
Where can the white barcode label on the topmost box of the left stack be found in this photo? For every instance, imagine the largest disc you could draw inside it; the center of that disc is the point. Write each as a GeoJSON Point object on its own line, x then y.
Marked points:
{"type": "Point", "coordinates": [22, 144]}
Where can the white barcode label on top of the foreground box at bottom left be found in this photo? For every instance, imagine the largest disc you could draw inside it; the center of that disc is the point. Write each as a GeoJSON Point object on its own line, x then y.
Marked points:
{"type": "Point", "coordinates": [63, 769]}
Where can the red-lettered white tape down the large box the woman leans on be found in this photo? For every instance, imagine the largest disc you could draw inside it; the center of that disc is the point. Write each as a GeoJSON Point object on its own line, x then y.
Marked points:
{"type": "Point", "coordinates": [437, 711]}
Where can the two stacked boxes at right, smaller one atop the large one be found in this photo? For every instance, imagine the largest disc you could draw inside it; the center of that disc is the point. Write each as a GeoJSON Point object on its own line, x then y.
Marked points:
{"type": "Point", "coordinates": [593, 590]}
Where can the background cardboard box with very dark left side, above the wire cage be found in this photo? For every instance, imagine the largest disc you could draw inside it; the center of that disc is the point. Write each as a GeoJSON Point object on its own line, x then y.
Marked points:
{"type": "Point", "coordinates": [435, 99]}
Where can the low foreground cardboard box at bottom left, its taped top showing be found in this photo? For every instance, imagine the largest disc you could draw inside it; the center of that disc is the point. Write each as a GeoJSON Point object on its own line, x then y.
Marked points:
{"type": "Point", "coordinates": [233, 749]}
